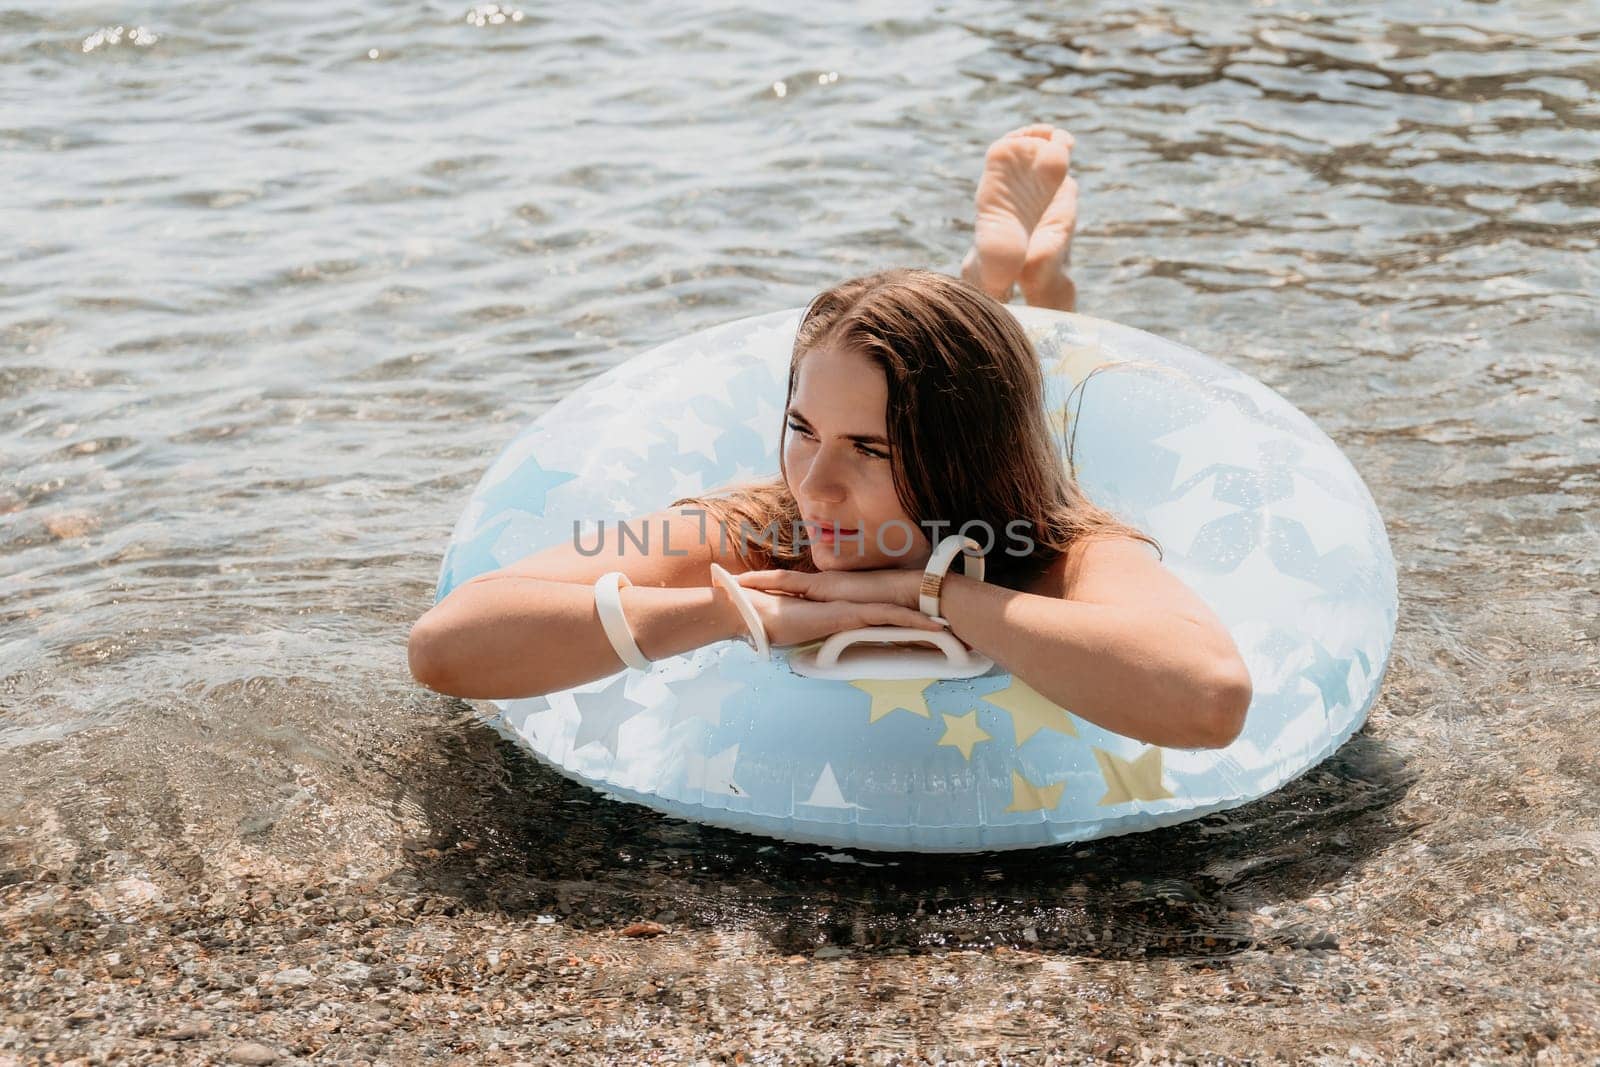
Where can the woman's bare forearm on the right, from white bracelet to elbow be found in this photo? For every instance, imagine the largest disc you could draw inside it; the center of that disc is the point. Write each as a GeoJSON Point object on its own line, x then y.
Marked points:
{"type": "Point", "coordinates": [1156, 677]}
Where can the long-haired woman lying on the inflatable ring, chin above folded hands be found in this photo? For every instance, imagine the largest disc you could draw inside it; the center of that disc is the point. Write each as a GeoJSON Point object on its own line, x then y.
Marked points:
{"type": "Point", "coordinates": [916, 410]}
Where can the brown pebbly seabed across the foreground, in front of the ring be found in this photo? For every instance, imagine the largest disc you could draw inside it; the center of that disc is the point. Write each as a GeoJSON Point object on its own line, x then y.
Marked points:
{"type": "Point", "coordinates": [442, 897]}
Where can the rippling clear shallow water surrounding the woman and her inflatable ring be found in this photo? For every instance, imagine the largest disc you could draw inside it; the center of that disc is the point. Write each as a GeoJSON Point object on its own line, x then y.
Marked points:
{"type": "Point", "coordinates": [282, 279]}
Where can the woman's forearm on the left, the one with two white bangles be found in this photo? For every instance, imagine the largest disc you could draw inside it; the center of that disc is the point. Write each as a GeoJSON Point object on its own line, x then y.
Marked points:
{"type": "Point", "coordinates": [505, 637]}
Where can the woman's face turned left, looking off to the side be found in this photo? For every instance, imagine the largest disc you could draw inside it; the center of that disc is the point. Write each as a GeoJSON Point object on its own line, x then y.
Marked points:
{"type": "Point", "coordinates": [839, 468]}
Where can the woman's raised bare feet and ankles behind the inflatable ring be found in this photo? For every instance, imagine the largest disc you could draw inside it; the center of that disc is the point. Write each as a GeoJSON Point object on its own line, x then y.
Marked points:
{"type": "Point", "coordinates": [1028, 207]}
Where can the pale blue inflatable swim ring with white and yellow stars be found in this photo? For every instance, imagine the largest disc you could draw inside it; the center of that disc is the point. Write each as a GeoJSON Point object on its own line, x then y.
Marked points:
{"type": "Point", "coordinates": [1255, 510]}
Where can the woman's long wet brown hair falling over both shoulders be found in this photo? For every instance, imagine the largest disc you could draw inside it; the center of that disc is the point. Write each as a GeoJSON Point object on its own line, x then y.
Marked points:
{"type": "Point", "coordinates": [969, 436]}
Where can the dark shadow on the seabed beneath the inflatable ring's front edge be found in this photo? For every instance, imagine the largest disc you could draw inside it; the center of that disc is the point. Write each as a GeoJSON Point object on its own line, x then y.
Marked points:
{"type": "Point", "coordinates": [511, 834]}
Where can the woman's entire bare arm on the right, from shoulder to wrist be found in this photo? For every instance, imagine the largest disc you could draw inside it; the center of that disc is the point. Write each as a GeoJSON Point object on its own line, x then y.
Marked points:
{"type": "Point", "coordinates": [1134, 649]}
